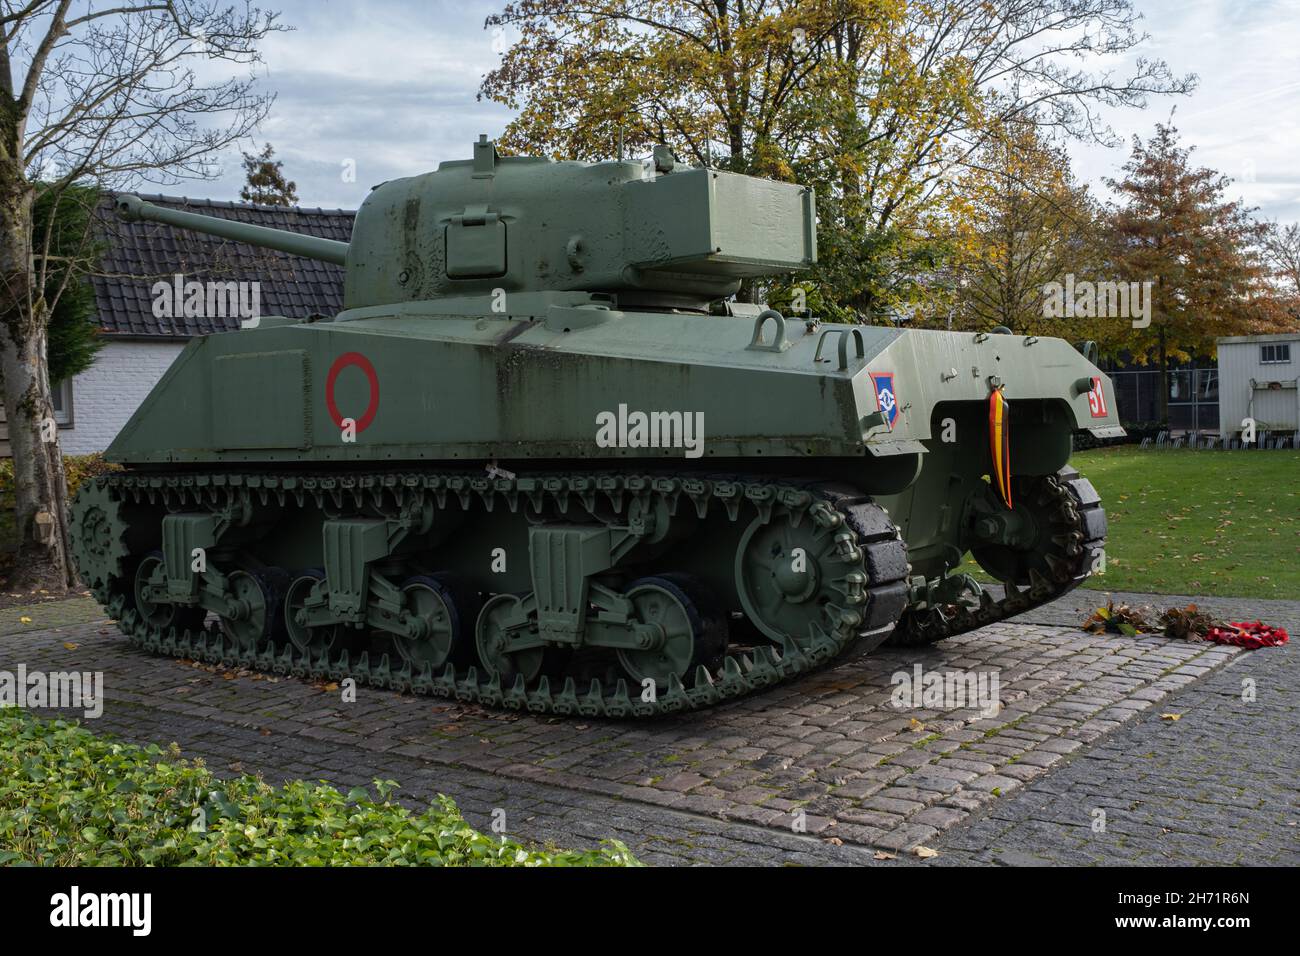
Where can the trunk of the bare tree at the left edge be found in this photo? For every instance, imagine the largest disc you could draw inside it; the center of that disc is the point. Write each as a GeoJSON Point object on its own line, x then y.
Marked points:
{"type": "Point", "coordinates": [41, 492]}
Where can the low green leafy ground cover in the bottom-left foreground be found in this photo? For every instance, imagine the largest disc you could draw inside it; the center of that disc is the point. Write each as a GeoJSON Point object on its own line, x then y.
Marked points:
{"type": "Point", "coordinates": [70, 798]}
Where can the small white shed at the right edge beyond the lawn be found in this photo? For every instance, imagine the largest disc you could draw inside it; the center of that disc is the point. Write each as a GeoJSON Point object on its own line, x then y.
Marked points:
{"type": "Point", "coordinates": [1260, 379]}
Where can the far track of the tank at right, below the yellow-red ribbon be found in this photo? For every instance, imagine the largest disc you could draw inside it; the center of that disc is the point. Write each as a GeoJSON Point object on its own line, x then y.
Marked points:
{"type": "Point", "coordinates": [1074, 508]}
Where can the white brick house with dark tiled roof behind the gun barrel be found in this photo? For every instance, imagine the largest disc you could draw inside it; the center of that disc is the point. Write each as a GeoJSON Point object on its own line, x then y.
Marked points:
{"type": "Point", "coordinates": [144, 335]}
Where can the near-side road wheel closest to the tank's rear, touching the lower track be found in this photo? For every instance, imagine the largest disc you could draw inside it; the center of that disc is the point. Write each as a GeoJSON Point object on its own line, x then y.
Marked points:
{"type": "Point", "coordinates": [695, 633]}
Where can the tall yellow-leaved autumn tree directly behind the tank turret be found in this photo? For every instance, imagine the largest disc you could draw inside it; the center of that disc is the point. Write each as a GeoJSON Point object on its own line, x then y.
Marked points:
{"type": "Point", "coordinates": [879, 105]}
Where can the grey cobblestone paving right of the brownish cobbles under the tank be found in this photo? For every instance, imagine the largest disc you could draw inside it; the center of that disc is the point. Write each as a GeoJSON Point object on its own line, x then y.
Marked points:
{"type": "Point", "coordinates": [1220, 785]}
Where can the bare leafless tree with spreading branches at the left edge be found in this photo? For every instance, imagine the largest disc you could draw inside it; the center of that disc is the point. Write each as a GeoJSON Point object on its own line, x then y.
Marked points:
{"type": "Point", "coordinates": [103, 94]}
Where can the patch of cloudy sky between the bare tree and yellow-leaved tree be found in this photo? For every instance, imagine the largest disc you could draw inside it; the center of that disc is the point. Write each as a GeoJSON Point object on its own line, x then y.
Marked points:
{"type": "Point", "coordinates": [389, 84]}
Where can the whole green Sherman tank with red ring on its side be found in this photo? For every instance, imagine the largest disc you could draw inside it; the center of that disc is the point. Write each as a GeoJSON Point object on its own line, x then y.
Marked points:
{"type": "Point", "coordinates": [544, 460]}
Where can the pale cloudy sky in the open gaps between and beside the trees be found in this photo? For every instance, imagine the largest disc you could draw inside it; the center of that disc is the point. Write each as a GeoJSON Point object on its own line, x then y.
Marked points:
{"type": "Point", "coordinates": [391, 85]}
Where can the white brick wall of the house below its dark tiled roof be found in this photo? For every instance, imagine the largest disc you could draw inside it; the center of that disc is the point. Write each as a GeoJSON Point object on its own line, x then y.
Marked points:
{"type": "Point", "coordinates": [110, 392]}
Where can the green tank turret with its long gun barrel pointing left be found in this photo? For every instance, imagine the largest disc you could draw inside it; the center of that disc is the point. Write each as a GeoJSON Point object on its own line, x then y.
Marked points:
{"type": "Point", "coordinates": [652, 233]}
